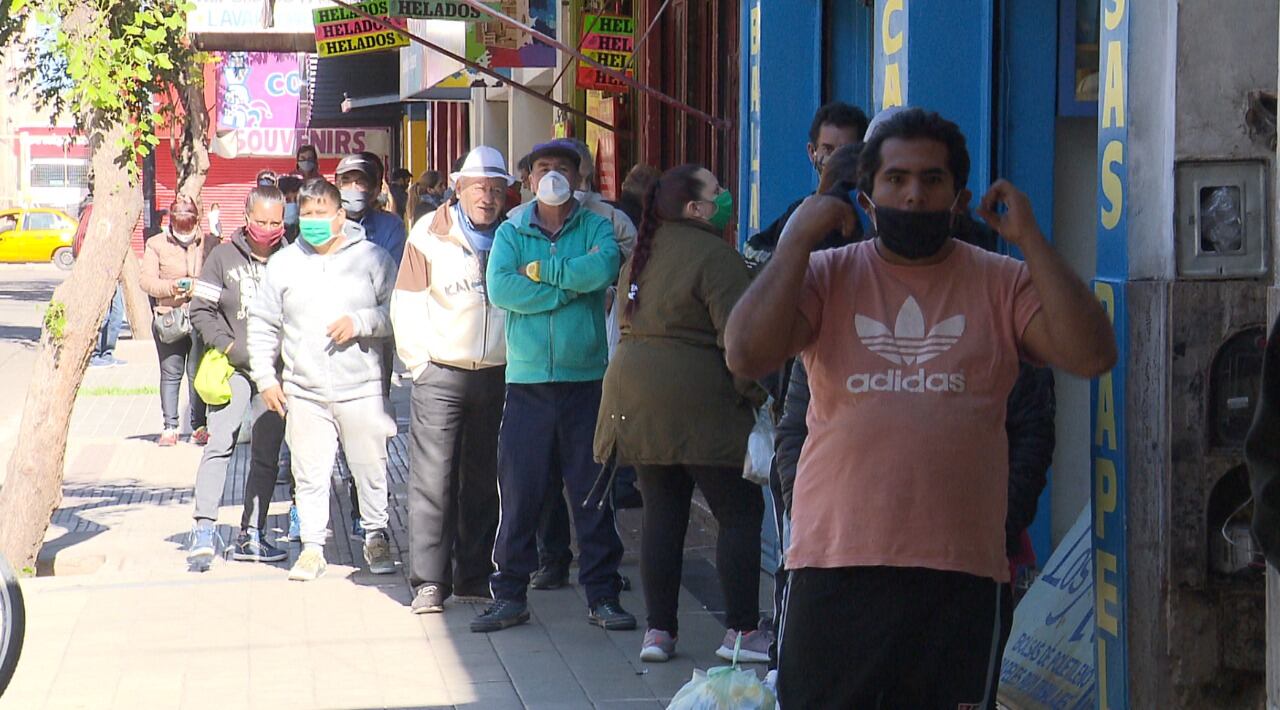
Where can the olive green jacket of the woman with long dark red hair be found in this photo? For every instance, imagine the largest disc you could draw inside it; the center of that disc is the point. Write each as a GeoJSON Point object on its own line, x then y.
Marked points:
{"type": "Point", "coordinates": [669, 397]}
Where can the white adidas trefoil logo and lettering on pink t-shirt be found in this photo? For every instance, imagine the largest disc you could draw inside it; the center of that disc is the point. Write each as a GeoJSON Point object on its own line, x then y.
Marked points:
{"type": "Point", "coordinates": [908, 343]}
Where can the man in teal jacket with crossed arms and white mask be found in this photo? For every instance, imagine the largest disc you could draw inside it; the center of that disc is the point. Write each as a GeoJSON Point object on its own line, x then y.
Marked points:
{"type": "Point", "coordinates": [550, 269]}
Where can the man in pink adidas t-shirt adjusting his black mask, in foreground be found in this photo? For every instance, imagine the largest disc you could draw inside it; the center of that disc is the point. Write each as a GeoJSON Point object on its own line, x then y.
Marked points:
{"type": "Point", "coordinates": [912, 342]}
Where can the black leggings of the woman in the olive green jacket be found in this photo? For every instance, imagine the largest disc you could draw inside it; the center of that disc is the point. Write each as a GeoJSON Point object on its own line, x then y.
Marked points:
{"type": "Point", "coordinates": [738, 507]}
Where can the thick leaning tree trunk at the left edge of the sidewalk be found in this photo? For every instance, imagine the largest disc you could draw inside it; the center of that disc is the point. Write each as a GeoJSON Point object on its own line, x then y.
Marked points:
{"type": "Point", "coordinates": [34, 487]}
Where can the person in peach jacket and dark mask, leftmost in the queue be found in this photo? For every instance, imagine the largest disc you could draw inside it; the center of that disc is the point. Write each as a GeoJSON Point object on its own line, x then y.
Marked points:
{"type": "Point", "coordinates": [171, 264]}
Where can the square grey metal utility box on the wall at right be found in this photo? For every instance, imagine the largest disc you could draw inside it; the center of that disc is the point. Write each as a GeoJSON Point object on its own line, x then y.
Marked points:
{"type": "Point", "coordinates": [1223, 219]}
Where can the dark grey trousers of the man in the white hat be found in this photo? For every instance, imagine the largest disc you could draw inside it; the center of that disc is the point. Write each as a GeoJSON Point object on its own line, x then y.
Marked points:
{"type": "Point", "coordinates": [454, 477]}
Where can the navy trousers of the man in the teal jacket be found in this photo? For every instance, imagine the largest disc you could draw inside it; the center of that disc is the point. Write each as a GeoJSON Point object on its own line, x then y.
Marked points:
{"type": "Point", "coordinates": [546, 442]}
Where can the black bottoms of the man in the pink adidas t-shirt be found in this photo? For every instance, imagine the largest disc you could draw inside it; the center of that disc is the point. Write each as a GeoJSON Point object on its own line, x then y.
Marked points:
{"type": "Point", "coordinates": [889, 638]}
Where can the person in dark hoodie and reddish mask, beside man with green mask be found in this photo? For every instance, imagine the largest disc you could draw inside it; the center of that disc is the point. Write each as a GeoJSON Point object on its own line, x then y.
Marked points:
{"type": "Point", "coordinates": [220, 312]}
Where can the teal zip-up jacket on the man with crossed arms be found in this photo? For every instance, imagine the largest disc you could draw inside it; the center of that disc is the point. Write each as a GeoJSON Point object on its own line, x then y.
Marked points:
{"type": "Point", "coordinates": [555, 327]}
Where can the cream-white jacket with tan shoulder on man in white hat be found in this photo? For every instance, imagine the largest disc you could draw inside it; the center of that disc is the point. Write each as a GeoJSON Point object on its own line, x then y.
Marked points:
{"type": "Point", "coordinates": [441, 310]}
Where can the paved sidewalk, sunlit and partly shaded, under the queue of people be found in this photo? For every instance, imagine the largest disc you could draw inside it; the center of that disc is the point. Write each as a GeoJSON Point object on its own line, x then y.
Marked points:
{"type": "Point", "coordinates": [125, 625]}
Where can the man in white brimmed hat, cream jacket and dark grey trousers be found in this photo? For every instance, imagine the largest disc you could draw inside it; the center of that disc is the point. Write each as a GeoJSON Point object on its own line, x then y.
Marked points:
{"type": "Point", "coordinates": [452, 340]}
